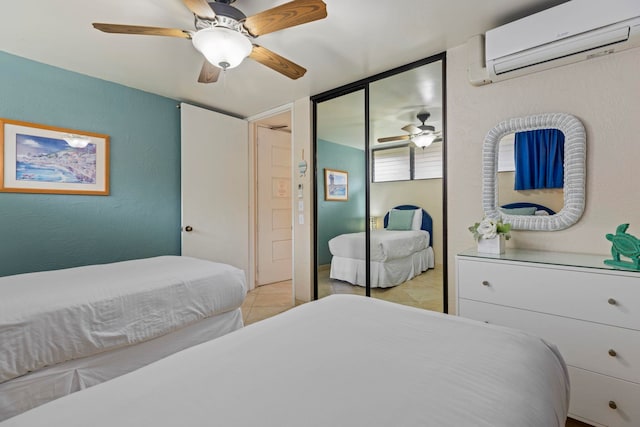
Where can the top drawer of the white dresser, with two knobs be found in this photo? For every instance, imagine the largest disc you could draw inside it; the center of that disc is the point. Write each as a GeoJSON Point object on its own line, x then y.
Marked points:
{"type": "Point", "coordinates": [587, 294]}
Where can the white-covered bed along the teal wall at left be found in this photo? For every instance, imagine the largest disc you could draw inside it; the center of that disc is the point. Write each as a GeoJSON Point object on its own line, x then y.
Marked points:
{"type": "Point", "coordinates": [66, 330]}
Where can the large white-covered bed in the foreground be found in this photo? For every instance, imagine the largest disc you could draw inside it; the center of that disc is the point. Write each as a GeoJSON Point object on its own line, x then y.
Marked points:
{"type": "Point", "coordinates": [344, 360]}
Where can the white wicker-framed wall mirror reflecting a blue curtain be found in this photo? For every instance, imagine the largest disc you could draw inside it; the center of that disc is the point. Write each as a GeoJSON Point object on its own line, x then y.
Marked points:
{"type": "Point", "coordinates": [563, 142]}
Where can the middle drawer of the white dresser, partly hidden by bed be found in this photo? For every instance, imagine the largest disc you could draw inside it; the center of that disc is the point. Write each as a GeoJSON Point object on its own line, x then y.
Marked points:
{"type": "Point", "coordinates": [600, 348]}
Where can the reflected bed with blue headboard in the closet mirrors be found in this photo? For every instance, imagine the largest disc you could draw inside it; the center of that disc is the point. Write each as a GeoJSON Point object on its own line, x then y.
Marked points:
{"type": "Point", "coordinates": [396, 255]}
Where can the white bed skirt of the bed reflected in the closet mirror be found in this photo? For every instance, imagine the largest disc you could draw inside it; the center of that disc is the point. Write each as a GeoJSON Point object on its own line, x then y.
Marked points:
{"type": "Point", "coordinates": [383, 274]}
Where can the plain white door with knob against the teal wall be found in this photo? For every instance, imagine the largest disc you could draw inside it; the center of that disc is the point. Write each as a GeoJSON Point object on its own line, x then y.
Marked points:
{"type": "Point", "coordinates": [215, 186]}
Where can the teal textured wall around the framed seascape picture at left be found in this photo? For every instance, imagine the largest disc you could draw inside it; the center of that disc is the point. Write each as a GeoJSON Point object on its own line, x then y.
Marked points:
{"type": "Point", "coordinates": [141, 216]}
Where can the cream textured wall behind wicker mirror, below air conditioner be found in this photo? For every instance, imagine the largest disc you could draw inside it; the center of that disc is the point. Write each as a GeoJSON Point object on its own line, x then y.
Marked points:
{"type": "Point", "coordinates": [604, 93]}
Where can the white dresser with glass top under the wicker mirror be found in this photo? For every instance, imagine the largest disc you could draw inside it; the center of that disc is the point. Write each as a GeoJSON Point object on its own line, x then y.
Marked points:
{"type": "Point", "coordinates": [588, 309]}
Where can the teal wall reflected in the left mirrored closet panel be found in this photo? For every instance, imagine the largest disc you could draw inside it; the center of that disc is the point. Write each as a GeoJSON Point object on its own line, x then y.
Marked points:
{"type": "Point", "coordinates": [336, 218]}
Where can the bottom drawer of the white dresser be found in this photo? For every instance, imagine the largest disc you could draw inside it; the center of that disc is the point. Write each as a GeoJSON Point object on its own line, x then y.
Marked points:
{"type": "Point", "coordinates": [593, 394]}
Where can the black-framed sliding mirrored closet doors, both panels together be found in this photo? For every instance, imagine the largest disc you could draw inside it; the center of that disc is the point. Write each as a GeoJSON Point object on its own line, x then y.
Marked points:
{"type": "Point", "coordinates": [389, 136]}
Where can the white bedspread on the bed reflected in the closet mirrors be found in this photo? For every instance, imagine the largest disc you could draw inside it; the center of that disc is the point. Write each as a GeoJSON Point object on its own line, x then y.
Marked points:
{"type": "Point", "coordinates": [385, 244]}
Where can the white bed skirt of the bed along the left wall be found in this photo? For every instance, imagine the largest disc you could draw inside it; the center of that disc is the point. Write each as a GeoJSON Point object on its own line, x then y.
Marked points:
{"type": "Point", "coordinates": [34, 389]}
